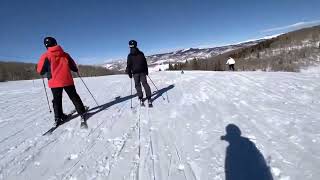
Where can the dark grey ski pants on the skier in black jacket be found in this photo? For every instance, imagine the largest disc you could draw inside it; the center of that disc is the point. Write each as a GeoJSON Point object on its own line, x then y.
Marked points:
{"type": "Point", "coordinates": [141, 78]}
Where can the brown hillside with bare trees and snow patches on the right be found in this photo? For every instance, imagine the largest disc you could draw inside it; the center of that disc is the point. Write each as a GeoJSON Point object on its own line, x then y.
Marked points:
{"type": "Point", "coordinates": [293, 51]}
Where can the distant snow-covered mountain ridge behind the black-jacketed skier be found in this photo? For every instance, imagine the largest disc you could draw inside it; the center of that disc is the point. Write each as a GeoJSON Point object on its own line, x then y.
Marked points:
{"type": "Point", "coordinates": [161, 61]}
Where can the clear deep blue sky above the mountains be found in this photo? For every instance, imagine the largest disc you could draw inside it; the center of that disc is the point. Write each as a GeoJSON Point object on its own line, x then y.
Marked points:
{"type": "Point", "coordinates": [93, 31]}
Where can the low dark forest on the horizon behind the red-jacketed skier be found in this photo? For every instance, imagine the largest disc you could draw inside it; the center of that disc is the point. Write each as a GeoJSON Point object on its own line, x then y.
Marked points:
{"type": "Point", "coordinates": [13, 71]}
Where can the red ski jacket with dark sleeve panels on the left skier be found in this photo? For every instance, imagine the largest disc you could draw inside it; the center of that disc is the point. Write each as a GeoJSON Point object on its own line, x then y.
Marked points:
{"type": "Point", "coordinates": [57, 64]}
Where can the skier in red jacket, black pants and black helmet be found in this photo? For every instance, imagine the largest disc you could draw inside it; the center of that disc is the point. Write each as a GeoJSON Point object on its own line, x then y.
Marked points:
{"type": "Point", "coordinates": [57, 65]}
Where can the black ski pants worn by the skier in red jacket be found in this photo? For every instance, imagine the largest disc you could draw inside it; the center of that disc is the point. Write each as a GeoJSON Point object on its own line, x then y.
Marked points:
{"type": "Point", "coordinates": [73, 95]}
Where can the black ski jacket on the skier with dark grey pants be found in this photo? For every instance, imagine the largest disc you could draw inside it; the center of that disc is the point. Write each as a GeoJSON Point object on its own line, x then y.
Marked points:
{"type": "Point", "coordinates": [136, 62]}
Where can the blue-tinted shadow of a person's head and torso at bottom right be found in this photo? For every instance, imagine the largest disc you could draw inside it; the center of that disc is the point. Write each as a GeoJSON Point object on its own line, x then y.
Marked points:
{"type": "Point", "coordinates": [243, 159]}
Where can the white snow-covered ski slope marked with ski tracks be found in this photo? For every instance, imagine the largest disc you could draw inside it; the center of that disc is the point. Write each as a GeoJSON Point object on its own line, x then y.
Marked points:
{"type": "Point", "coordinates": [178, 139]}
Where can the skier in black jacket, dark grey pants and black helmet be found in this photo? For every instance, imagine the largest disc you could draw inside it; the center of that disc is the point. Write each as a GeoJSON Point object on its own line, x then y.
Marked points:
{"type": "Point", "coordinates": [137, 68]}
